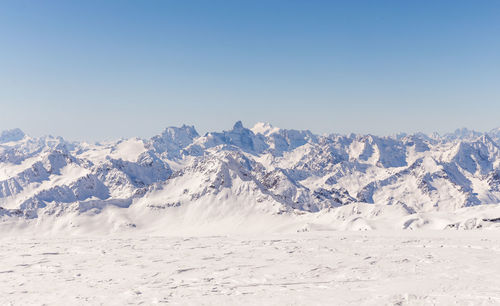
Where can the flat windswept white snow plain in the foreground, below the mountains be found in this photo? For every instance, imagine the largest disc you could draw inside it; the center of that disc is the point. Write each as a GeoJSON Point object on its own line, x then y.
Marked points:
{"type": "Point", "coordinates": [310, 268]}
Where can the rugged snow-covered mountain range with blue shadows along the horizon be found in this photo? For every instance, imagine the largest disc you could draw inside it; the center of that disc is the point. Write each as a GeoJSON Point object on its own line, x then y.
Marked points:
{"type": "Point", "coordinates": [265, 169]}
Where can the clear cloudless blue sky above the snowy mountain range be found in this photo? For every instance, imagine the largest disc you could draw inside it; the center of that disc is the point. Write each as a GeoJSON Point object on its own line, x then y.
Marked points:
{"type": "Point", "coordinates": [105, 69]}
